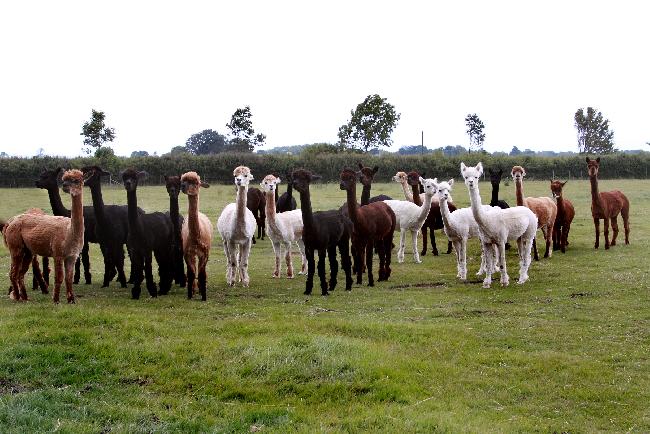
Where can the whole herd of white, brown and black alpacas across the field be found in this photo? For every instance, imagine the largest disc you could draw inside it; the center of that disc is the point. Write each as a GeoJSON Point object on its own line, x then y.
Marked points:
{"type": "Point", "coordinates": [355, 231]}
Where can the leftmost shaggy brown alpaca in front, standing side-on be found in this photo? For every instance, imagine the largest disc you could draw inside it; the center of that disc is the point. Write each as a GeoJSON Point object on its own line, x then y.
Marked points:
{"type": "Point", "coordinates": [61, 238]}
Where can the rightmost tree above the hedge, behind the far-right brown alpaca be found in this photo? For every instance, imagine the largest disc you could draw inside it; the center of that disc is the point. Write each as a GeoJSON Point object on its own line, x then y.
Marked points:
{"type": "Point", "coordinates": [594, 136]}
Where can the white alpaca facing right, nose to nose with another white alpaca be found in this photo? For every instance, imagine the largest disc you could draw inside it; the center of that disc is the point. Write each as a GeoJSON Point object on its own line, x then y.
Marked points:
{"type": "Point", "coordinates": [409, 216]}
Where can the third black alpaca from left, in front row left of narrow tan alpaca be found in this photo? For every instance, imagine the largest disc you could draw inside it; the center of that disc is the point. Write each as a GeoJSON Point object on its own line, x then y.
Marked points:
{"type": "Point", "coordinates": [148, 233]}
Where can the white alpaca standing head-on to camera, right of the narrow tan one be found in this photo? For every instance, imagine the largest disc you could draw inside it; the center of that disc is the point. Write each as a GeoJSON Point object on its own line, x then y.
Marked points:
{"type": "Point", "coordinates": [236, 225]}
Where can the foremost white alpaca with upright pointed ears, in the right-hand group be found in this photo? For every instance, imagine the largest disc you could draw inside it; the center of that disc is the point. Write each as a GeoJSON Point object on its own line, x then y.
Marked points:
{"type": "Point", "coordinates": [496, 226]}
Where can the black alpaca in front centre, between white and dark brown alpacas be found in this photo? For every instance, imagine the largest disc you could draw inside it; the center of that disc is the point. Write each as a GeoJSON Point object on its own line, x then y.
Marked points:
{"type": "Point", "coordinates": [324, 231]}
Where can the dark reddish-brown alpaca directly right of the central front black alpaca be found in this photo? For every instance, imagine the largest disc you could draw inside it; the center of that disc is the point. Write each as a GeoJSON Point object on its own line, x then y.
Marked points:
{"type": "Point", "coordinates": [374, 225]}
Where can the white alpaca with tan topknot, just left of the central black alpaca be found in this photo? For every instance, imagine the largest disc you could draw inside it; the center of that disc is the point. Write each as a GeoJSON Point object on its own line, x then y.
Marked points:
{"type": "Point", "coordinates": [282, 228]}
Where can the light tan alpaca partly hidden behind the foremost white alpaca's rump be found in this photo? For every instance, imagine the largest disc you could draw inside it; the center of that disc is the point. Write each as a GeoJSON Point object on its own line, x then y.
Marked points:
{"type": "Point", "coordinates": [543, 207]}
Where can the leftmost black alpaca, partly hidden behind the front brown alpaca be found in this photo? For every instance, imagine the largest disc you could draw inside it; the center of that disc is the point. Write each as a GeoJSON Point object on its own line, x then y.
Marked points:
{"type": "Point", "coordinates": [48, 180]}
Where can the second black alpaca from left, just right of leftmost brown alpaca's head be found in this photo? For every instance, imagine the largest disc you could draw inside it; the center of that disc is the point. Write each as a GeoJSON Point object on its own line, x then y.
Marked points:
{"type": "Point", "coordinates": [111, 228]}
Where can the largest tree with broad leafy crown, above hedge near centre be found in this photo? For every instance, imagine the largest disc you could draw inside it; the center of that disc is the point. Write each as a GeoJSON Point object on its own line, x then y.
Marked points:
{"type": "Point", "coordinates": [370, 125]}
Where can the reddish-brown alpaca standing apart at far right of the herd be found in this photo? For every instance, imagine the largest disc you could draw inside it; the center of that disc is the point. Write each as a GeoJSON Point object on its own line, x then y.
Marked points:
{"type": "Point", "coordinates": [607, 205]}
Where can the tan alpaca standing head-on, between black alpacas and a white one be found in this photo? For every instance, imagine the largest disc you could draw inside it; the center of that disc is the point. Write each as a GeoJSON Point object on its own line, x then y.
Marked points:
{"type": "Point", "coordinates": [196, 234]}
